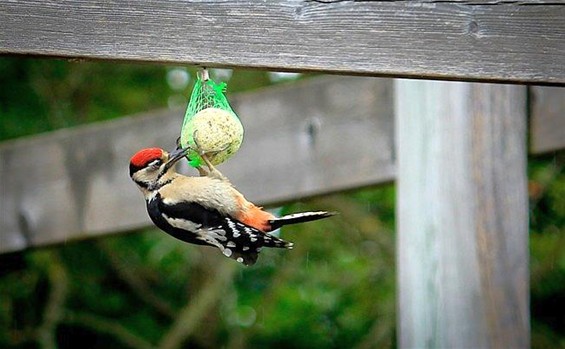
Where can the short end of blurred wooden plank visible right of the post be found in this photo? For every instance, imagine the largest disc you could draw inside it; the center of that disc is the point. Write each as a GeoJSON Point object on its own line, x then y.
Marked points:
{"type": "Point", "coordinates": [547, 123]}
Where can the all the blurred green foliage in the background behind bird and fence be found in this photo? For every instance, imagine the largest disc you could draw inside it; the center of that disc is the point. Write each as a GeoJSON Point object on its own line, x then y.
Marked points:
{"type": "Point", "coordinates": [336, 289]}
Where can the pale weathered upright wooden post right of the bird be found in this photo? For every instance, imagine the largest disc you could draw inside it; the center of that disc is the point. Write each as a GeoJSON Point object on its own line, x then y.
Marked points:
{"type": "Point", "coordinates": [462, 215]}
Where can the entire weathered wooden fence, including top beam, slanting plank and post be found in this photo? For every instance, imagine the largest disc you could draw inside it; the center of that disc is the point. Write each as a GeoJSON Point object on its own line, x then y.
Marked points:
{"type": "Point", "coordinates": [457, 152]}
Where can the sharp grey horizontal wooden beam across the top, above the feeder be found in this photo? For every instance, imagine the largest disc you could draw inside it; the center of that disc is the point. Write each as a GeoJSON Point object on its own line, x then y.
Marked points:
{"type": "Point", "coordinates": [516, 41]}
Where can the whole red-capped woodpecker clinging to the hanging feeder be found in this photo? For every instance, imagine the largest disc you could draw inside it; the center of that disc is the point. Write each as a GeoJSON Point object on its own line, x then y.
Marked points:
{"type": "Point", "coordinates": [207, 210]}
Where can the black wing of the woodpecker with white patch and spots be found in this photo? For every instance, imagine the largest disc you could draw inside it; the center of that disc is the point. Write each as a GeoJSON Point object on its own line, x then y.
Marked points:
{"type": "Point", "coordinates": [193, 223]}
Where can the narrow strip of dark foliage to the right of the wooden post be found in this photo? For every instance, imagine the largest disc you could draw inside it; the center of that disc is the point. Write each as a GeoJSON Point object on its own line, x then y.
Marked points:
{"type": "Point", "coordinates": [547, 250]}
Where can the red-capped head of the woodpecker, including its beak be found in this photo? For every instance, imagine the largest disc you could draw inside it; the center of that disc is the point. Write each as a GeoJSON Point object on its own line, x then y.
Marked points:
{"type": "Point", "coordinates": [150, 167]}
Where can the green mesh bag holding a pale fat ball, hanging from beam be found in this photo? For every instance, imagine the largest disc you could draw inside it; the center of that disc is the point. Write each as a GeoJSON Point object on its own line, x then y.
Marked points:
{"type": "Point", "coordinates": [209, 123]}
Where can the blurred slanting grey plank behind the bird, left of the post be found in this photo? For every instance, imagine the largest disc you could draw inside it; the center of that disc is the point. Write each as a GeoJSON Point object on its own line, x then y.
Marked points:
{"type": "Point", "coordinates": [74, 183]}
